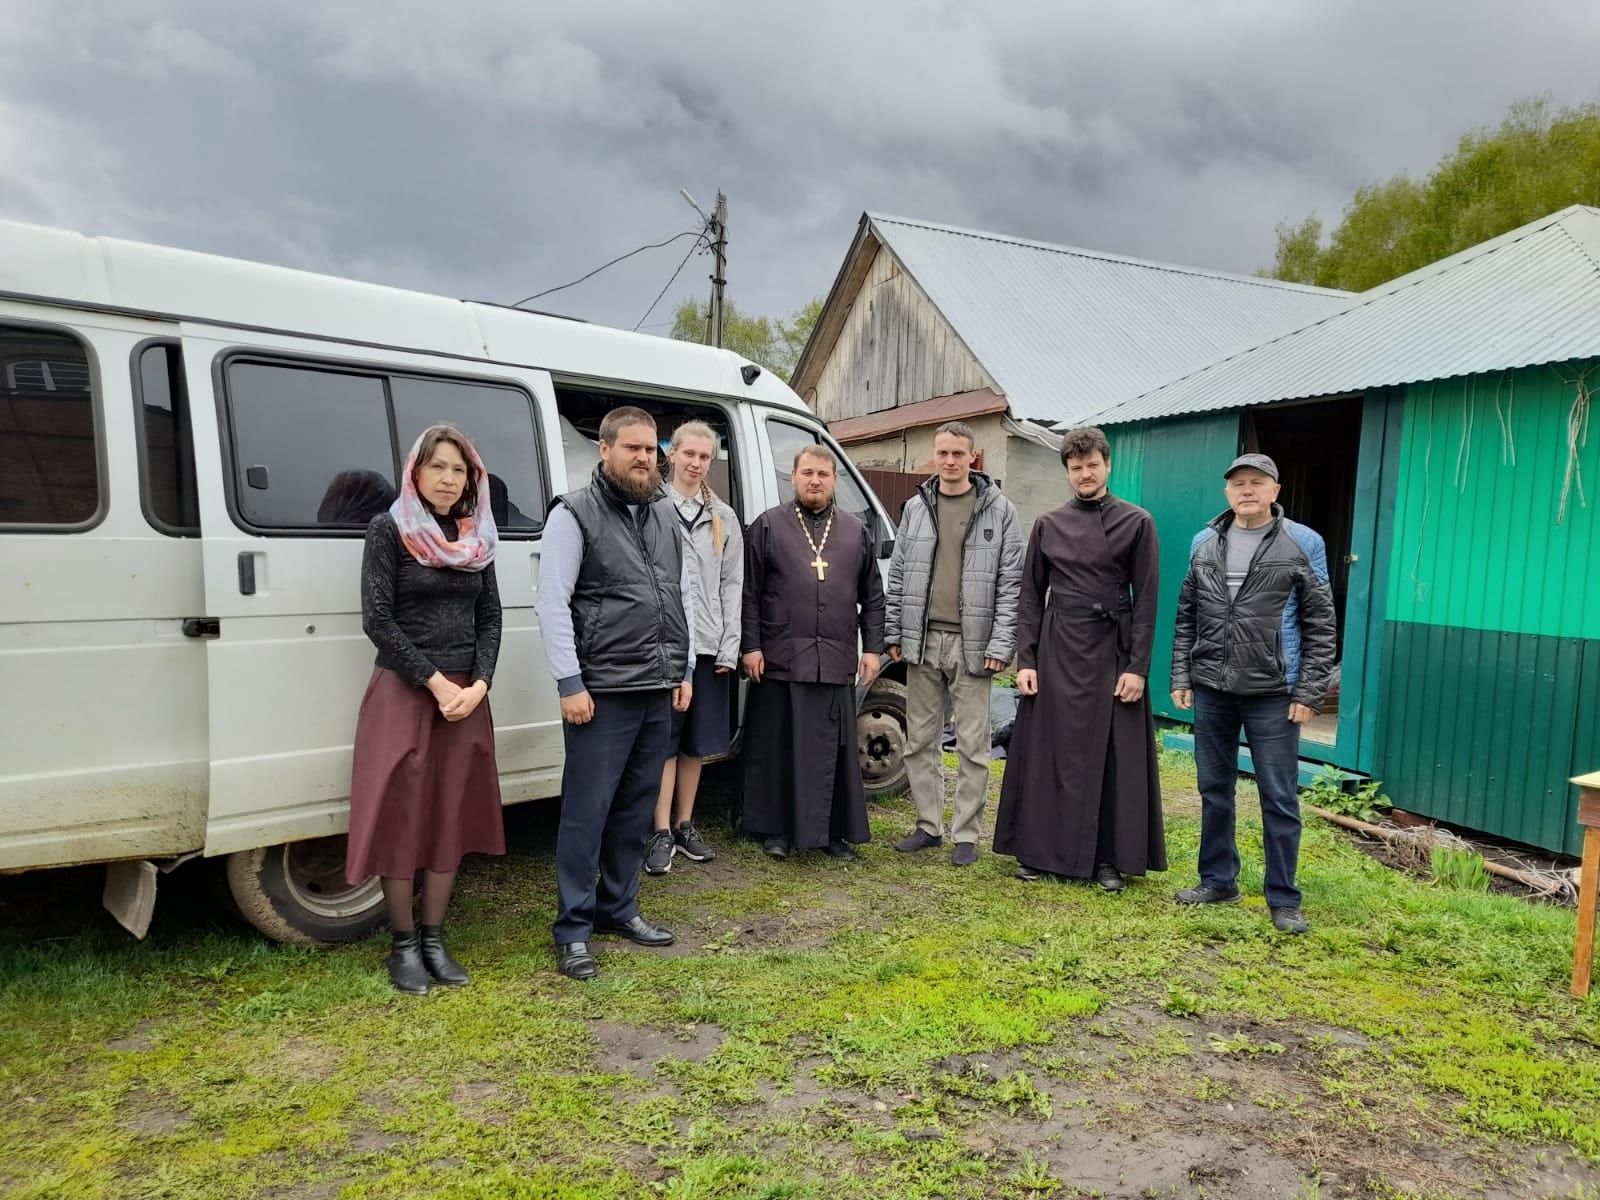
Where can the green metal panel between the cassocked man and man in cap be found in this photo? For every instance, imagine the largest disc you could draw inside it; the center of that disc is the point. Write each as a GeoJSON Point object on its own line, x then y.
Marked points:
{"type": "Point", "coordinates": [1175, 471]}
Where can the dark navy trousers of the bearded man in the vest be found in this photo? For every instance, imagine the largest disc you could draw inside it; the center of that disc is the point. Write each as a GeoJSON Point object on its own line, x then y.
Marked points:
{"type": "Point", "coordinates": [609, 798]}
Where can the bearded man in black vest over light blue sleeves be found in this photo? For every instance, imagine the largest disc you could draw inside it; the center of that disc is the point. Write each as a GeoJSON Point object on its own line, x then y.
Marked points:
{"type": "Point", "coordinates": [615, 606]}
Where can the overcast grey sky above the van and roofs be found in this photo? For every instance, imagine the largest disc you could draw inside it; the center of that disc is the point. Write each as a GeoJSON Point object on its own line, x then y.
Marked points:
{"type": "Point", "coordinates": [497, 148]}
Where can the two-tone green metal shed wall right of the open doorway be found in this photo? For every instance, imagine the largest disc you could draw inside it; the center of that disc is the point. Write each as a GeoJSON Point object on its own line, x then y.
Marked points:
{"type": "Point", "coordinates": [1492, 657]}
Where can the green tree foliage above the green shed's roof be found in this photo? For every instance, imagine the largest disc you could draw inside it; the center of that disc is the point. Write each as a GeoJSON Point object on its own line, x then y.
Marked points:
{"type": "Point", "coordinates": [1540, 161]}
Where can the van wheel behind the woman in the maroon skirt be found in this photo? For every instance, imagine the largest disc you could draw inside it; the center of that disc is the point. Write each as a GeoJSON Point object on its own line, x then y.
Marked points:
{"type": "Point", "coordinates": [297, 894]}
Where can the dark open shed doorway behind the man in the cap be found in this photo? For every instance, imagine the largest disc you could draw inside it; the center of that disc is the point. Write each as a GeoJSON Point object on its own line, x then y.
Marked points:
{"type": "Point", "coordinates": [1318, 449]}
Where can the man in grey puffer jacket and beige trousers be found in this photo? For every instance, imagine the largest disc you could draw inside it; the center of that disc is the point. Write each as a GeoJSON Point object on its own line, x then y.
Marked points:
{"type": "Point", "coordinates": [951, 615]}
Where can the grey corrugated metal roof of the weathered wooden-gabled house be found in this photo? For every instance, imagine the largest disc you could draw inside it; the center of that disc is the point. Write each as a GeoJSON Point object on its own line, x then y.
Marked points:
{"type": "Point", "coordinates": [1071, 332]}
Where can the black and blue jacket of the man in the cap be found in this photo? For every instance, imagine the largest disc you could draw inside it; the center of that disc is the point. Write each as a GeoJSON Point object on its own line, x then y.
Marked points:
{"type": "Point", "coordinates": [1278, 636]}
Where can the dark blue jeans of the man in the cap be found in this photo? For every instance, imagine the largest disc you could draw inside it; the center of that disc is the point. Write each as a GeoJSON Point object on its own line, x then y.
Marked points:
{"type": "Point", "coordinates": [1274, 746]}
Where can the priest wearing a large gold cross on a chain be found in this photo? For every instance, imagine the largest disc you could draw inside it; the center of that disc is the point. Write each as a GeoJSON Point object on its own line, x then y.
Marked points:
{"type": "Point", "coordinates": [810, 588]}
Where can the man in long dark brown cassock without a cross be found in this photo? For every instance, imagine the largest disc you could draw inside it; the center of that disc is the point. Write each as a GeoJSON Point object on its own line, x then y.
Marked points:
{"type": "Point", "coordinates": [1082, 794]}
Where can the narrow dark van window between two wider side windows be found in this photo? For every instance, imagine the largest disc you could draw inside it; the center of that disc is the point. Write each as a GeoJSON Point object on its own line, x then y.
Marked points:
{"type": "Point", "coordinates": [167, 455]}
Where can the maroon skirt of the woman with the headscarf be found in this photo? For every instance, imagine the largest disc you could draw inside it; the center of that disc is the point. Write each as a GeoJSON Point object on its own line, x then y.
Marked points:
{"type": "Point", "coordinates": [423, 791]}
